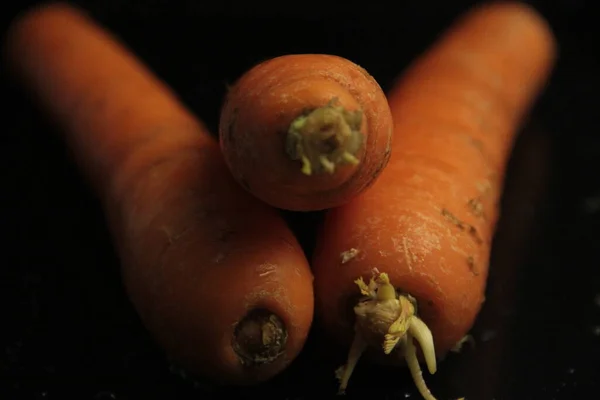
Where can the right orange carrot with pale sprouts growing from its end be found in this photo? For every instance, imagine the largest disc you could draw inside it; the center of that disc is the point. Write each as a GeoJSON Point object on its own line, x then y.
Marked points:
{"type": "Point", "coordinates": [428, 222]}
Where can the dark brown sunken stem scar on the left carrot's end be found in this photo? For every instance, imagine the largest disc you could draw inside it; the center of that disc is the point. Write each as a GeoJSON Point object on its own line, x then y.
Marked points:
{"type": "Point", "coordinates": [259, 338]}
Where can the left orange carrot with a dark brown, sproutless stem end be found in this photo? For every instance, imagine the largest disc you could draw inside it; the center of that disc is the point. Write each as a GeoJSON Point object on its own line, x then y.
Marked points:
{"type": "Point", "coordinates": [216, 276]}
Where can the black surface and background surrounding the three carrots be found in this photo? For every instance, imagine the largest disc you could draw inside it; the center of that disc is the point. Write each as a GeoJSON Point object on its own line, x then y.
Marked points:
{"type": "Point", "coordinates": [67, 328]}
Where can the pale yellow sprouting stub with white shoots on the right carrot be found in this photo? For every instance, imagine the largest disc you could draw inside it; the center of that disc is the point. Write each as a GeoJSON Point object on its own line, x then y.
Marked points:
{"type": "Point", "coordinates": [388, 320]}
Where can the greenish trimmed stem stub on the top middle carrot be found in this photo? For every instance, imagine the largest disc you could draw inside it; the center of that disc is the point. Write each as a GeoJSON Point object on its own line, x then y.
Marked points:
{"type": "Point", "coordinates": [325, 138]}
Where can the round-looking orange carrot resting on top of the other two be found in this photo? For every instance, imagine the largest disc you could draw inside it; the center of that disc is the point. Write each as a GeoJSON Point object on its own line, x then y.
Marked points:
{"type": "Point", "coordinates": [306, 132]}
